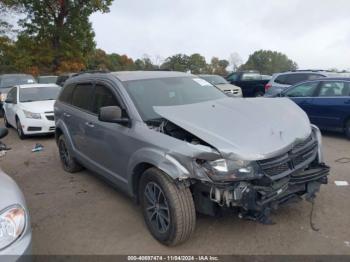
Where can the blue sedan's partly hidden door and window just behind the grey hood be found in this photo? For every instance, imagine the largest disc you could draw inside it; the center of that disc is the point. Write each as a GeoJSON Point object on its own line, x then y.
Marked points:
{"type": "Point", "coordinates": [303, 95]}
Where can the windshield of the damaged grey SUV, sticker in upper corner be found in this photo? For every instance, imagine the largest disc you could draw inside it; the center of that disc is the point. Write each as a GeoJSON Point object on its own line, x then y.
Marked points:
{"type": "Point", "coordinates": [169, 92]}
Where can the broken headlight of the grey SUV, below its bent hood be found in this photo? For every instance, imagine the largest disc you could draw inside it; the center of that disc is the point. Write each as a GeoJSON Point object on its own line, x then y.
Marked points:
{"type": "Point", "coordinates": [230, 170]}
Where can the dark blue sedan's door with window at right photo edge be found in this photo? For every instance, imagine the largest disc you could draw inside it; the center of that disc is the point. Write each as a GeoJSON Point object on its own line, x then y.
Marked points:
{"type": "Point", "coordinates": [331, 106]}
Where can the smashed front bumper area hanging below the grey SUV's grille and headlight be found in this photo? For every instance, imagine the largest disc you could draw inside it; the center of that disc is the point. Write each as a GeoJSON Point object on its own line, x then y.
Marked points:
{"type": "Point", "coordinates": [254, 200]}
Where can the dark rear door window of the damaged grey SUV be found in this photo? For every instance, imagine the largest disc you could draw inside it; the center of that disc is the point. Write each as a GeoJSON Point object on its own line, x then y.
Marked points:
{"type": "Point", "coordinates": [82, 96]}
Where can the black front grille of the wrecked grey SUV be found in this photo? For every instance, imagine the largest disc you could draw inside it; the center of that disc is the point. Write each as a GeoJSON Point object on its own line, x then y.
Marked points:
{"type": "Point", "coordinates": [298, 157]}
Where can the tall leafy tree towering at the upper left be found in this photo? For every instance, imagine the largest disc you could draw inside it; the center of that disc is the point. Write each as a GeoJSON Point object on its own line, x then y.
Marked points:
{"type": "Point", "coordinates": [63, 26]}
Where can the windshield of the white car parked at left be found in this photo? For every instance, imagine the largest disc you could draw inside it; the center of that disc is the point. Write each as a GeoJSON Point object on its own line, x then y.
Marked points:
{"type": "Point", "coordinates": [31, 94]}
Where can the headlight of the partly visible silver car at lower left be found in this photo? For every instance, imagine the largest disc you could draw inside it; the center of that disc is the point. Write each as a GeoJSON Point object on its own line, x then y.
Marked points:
{"type": "Point", "coordinates": [12, 225]}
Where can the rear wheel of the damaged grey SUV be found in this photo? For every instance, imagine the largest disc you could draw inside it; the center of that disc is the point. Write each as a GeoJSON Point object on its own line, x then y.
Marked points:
{"type": "Point", "coordinates": [69, 164]}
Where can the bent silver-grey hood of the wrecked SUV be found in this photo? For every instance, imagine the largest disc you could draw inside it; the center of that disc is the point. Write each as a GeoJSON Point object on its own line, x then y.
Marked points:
{"type": "Point", "coordinates": [241, 128]}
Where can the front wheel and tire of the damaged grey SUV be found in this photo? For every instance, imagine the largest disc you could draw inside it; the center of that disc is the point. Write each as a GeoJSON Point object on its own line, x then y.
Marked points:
{"type": "Point", "coordinates": [168, 209]}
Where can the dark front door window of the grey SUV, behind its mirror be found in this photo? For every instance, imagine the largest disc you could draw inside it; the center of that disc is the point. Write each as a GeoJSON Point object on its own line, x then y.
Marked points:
{"type": "Point", "coordinates": [103, 96]}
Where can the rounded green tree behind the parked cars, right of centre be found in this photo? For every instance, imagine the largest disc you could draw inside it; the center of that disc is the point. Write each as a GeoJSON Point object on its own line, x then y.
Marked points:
{"type": "Point", "coordinates": [269, 62]}
